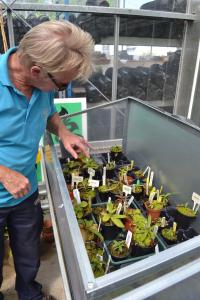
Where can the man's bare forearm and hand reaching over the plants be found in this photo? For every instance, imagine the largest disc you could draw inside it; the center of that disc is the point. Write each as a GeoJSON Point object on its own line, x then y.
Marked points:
{"type": "Point", "coordinates": [72, 143]}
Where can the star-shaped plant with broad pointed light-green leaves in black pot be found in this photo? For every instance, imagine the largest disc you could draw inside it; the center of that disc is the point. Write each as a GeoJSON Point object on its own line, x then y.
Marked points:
{"type": "Point", "coordinates": [111, 222]}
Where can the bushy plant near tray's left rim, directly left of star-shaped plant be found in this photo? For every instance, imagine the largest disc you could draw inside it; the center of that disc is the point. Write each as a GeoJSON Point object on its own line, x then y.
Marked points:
{"type": "Point", "coordinates": [89, 230]}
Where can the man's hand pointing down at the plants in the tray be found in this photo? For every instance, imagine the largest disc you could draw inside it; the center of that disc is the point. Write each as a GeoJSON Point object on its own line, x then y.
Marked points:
{"type": "Point", "coordinates": [75, 144]}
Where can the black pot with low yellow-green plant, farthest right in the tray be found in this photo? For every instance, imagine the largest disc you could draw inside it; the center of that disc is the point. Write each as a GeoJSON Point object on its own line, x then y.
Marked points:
{"type": "Point", "coordinates": [185, 215]}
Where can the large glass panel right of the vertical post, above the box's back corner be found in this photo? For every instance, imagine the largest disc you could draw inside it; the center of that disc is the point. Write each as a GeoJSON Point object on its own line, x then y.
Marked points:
{"type": "Point", "coordinates": [149, 56]}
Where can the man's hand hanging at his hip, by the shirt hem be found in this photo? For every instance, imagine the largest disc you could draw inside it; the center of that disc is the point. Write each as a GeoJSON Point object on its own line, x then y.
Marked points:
{"type": "Point", "coordinates": [15, 183]}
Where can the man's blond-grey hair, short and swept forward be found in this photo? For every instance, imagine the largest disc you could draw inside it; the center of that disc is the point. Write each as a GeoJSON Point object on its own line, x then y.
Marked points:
{"type": "Point", "coordinates": [58, 46]}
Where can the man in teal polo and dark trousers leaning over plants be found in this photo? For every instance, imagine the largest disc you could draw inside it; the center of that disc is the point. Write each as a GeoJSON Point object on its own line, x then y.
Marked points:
{"type": "Point", "coordinates": [49, 56]}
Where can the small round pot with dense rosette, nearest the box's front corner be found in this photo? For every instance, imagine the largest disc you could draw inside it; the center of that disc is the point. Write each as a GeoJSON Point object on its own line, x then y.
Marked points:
{"type": "Point", "coordinates": [118, 250]}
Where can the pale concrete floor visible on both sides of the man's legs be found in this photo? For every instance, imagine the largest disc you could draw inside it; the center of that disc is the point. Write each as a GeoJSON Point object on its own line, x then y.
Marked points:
{"type": "Point", "coordinates": [49, 274]}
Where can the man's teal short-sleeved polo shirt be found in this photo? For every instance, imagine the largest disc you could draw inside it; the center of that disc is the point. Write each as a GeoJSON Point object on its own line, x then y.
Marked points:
{"type": "Point", "coordinates": [22, 124]}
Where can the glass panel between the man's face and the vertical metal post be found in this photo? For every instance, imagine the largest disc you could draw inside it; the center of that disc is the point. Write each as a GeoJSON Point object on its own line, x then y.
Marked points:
{"type": "Point", "coordinates": [99, 87]}
